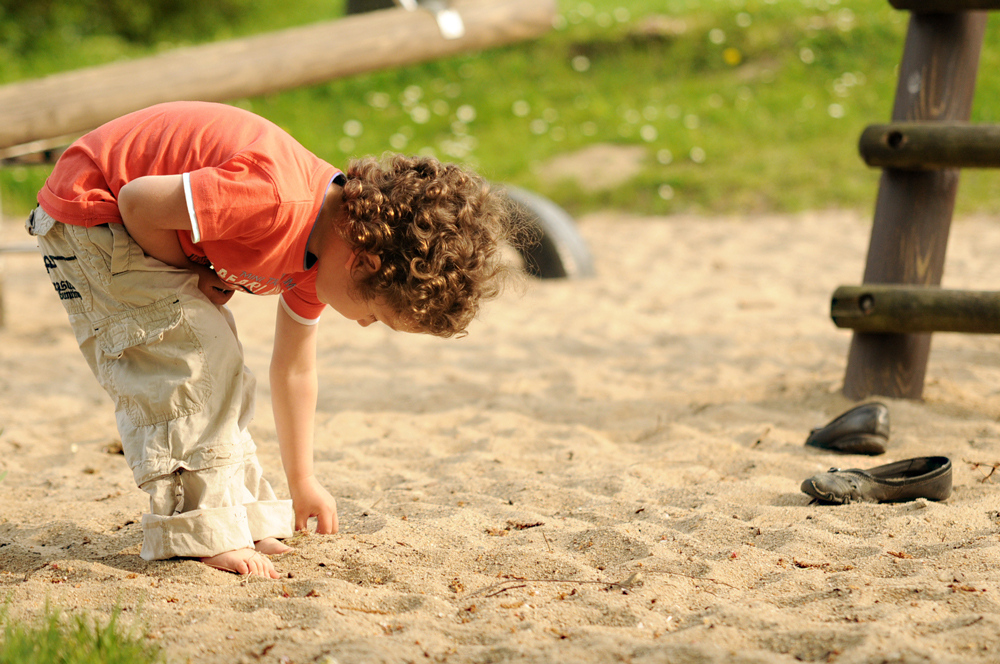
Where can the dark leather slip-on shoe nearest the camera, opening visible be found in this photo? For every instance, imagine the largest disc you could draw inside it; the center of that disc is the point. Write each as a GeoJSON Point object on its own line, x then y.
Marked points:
{"type": "Point", "coordinates": [923, 477]}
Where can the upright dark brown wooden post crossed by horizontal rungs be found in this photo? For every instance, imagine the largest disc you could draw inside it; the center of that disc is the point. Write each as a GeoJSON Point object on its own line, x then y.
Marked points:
{"type": "Point", "coordinates": [913, 210]}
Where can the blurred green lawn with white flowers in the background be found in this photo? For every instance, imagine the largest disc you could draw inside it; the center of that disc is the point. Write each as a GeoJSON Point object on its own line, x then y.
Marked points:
{"type": "Point", "coordinates": [742, 106]}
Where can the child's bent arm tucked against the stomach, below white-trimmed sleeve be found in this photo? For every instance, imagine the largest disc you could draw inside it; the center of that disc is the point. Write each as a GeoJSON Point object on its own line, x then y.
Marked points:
{"type": "Point", "coordinates": [153, 209]}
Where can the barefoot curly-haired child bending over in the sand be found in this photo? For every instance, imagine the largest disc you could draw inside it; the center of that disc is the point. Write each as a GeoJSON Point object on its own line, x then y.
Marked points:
{"type": "Point", "coordinates": [150, 223]}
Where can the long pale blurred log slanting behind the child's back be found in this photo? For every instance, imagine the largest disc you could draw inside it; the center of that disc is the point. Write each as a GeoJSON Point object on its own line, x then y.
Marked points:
{"type": "Point", "coordinates": [77, 101]}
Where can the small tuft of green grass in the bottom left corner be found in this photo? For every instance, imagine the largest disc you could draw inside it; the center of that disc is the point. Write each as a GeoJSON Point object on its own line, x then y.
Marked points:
{"type": "Point", "coordinates": [53, 639]}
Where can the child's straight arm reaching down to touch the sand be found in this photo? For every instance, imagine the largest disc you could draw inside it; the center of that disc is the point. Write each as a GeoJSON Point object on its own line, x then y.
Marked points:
{"type": "Point", "coordinates": [293, 398]}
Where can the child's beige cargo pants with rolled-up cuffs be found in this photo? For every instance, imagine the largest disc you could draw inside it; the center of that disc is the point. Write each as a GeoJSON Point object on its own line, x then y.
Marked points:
{"type": "Point", "coordinates": [172, 364]}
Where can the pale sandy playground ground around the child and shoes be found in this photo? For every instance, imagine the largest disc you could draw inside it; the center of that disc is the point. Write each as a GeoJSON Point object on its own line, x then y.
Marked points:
{"type": "Point", "coordinates": [603, 470]}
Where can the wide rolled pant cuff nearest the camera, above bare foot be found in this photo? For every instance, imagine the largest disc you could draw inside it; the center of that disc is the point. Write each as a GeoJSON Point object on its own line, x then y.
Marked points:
{"type": "Point", "coordinates": [195, 534]}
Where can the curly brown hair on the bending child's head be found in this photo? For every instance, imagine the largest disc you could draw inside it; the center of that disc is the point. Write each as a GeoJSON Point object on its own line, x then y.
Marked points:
{"type": "Point", "coordinates": [437, 229]}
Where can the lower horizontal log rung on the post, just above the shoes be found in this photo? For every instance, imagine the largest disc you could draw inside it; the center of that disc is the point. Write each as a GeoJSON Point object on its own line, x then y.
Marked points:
{"type": "Point", "coordinates": [900, 309]}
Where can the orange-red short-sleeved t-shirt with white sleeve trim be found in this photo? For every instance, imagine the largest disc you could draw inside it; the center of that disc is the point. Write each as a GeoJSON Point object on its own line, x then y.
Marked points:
{"type": "Point", "coordinates": [253, 192]}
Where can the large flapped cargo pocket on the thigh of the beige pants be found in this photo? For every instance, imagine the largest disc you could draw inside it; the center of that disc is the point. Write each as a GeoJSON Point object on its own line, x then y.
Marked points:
{"type": "Point", "coordinates": [153, 363]}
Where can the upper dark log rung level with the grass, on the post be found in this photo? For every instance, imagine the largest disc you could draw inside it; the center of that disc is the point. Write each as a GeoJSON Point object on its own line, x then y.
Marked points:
{"type": "Point", "coordinates": [930, 146]}
